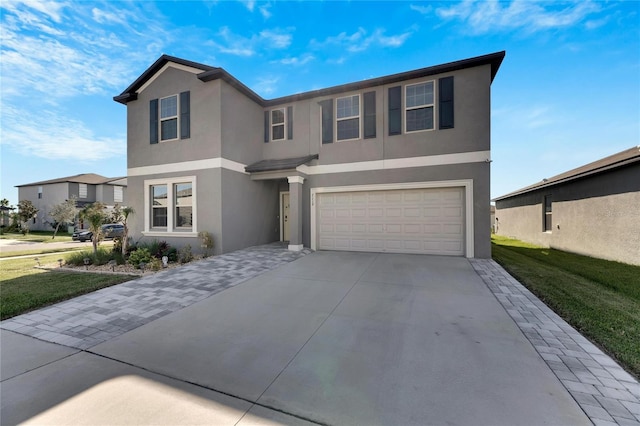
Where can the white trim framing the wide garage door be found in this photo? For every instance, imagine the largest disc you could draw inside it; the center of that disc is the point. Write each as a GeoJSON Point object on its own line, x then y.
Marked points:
{"type": "Point", "coordinates": [466, 183]}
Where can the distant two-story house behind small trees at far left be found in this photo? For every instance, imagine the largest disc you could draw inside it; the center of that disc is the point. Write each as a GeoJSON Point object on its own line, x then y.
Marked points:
{"type": "Point", "coordinates": [86, 188]}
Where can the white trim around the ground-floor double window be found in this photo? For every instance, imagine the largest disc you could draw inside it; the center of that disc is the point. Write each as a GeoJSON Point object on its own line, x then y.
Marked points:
{"type": "Point", "coordinates": [151, 232]}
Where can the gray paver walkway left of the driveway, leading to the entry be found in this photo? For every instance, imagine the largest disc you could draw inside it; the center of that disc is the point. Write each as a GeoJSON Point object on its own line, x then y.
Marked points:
{"type": "Point", "coordinates": [88, 320]}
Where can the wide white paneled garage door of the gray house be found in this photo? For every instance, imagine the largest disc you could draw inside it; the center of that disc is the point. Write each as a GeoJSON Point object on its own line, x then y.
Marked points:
{"type": "Point", "coordinates": [427, 221]}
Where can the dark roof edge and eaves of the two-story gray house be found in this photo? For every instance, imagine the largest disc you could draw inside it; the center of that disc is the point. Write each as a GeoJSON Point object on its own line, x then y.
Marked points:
{"type": "Point", "coordinates": [210, 73]}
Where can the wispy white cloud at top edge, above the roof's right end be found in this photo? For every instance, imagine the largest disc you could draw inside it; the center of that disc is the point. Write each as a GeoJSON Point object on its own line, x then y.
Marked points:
{"type": "Point", "coordinates": [528, 15]}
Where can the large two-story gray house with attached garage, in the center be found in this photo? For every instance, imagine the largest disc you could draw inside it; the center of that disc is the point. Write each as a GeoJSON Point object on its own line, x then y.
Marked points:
{"type": "Point", "coordinates": [393, 164]}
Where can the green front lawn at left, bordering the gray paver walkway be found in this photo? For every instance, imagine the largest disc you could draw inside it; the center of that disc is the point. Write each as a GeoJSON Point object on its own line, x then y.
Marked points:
{"type": "Point", "coordinates": [24, 288]}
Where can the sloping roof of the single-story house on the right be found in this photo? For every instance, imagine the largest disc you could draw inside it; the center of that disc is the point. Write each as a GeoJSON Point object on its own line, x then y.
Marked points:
{"type": "Point", "coordinates": [621, 159]}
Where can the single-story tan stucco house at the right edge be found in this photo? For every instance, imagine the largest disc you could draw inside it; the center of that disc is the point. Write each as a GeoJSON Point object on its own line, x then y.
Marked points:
{"type": "Point", "coordinates": [592, 210]}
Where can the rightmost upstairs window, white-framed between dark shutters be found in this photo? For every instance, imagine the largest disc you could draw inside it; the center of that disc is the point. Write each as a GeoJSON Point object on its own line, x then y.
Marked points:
{"type": "Point", "coordinates": [419, 110]}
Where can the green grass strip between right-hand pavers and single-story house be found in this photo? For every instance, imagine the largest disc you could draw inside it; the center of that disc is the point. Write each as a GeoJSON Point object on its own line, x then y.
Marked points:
{"type": "Point", "coordinates": [599, 298]}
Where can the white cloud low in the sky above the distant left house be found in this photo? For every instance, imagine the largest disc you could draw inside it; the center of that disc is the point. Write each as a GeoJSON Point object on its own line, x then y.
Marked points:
{"type": "Point", "coordinates": [52, 136]}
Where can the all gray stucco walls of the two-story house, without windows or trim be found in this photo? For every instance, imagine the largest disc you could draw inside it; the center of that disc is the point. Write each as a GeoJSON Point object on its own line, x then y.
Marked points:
{"type": "Point", "coordinates": [225, 123]}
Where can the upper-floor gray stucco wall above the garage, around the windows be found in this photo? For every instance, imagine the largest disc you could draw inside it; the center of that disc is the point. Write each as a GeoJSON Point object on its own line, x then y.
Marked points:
{"type": "Point", "coordinates": [472, 108]}
